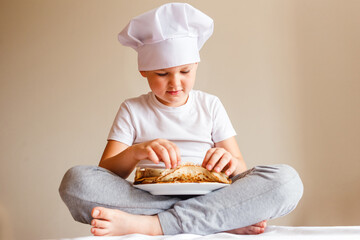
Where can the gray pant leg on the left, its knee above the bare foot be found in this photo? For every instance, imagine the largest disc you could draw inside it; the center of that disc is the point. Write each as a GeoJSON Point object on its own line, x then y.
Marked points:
{"type": "Point", "coordinates": [85, 187]}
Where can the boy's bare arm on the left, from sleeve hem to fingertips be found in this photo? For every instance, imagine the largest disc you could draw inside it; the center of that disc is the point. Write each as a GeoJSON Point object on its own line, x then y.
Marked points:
{"type": "Point", "coordinates": [121, 159]}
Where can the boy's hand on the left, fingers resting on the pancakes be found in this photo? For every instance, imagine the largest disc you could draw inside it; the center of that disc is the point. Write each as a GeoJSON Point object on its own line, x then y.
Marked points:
{"type": "Point", "coordinates": [159, 150]}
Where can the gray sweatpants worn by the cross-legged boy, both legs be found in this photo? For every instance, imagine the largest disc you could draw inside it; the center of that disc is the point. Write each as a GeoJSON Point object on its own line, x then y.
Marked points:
{"type": "Point", "coordinates": [261, 193]}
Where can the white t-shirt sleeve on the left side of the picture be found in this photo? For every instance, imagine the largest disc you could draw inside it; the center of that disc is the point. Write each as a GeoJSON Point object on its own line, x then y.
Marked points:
{"type": "Point", "coordinates": [122, 129]}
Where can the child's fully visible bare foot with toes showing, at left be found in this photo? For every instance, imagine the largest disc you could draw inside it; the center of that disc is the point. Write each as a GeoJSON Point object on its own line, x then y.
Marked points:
{"type": "Point", "coordinates": [113, 222]}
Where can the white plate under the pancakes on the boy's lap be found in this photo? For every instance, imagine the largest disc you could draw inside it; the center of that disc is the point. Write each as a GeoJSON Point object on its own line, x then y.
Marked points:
{"type": "Point", "coordinates": [180, 188]}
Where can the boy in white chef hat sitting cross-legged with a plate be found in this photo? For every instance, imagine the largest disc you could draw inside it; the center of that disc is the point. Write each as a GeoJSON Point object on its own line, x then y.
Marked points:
{"type": "Point", "coordinates": [173, 124]}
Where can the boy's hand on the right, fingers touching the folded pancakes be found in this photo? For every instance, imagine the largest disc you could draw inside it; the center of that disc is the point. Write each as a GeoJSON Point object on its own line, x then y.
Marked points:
{"type": "Point", "coordinates": [218, 159]}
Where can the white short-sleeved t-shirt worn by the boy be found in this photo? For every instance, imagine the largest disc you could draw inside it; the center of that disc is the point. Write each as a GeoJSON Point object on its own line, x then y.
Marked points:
{"type": "Point", "coordinates": [193, 127]}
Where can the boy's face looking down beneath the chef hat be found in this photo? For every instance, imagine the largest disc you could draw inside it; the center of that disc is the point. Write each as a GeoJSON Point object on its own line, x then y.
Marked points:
{"type": "Point", "coordinates": [171, 86]}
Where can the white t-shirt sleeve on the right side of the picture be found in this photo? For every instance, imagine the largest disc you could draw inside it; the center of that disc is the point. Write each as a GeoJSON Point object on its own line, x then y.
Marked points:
{"type": "Point", "coordinates": [222, 127]}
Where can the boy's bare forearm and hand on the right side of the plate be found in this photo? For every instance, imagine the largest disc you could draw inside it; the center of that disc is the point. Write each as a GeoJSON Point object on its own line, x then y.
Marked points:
{"type": "Point", "coordinates": [226, 156]}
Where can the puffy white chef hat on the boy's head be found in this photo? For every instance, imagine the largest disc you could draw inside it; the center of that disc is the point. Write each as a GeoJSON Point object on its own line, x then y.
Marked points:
{"type": "Point", "coordinates": [170, 35]}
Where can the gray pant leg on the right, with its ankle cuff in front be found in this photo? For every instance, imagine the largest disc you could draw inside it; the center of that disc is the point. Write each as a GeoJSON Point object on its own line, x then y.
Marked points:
{"type": "Point", "coordinates": [266, 192]}
